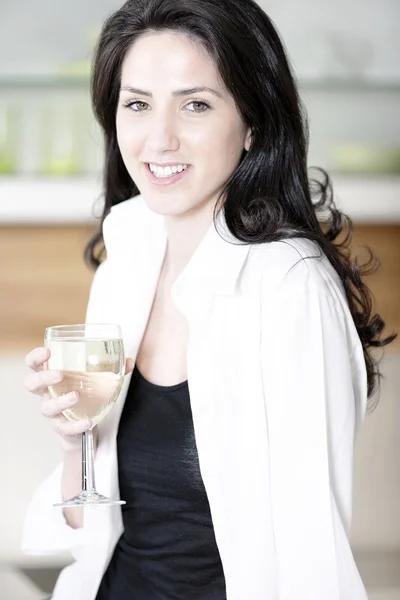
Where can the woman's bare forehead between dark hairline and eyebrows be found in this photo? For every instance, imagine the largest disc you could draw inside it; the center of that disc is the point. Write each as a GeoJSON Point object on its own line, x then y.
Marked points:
{"type": "Point", "coordinates": [169, 57]}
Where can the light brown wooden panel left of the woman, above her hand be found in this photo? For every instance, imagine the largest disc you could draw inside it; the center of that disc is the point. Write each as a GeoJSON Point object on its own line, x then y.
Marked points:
{"type": "Point", "coordinates": [43, 282]}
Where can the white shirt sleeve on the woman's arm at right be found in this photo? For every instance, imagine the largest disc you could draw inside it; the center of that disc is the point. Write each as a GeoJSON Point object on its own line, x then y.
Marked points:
{"type": "Point", "coordinates": [314, 382]}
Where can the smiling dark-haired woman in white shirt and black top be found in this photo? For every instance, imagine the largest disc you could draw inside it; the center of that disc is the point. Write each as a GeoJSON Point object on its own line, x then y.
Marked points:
{"type": "Point", "coordinates": [250, 328]}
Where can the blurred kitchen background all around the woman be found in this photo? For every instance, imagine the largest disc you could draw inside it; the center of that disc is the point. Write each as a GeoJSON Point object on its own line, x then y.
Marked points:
{"type": "Point", "coordinates": [346, 58]}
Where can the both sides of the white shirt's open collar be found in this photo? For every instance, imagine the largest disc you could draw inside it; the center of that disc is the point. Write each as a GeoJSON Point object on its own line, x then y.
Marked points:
{"type": "Point", "coordinates": [135, 234]}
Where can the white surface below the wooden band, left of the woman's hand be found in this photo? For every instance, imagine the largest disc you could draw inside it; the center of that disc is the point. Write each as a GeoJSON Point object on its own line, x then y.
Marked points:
{"type": "Point", "coordinates": [29, 450]}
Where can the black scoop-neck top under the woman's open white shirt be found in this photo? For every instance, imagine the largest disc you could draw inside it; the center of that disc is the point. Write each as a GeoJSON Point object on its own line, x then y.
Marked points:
{"type": "Point", "coordinates": [168, 549]}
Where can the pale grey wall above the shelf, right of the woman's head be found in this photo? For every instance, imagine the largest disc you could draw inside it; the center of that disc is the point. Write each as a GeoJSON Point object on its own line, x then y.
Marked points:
{"type": "Point", "coordinates": [317, 35]}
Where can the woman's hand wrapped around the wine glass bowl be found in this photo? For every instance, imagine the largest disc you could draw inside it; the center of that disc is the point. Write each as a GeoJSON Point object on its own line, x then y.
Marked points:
{"type": "Point", "coordinates": [38, 382]}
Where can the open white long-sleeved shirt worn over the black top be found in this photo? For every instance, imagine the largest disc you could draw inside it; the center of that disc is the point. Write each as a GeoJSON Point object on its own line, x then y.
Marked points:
{"type": "Point", "coordinates": [278, 393]}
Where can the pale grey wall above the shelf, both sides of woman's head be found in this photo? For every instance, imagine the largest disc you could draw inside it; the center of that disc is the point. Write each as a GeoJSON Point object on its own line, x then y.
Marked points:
{"type": "Point", "coordinates": [38, 35]}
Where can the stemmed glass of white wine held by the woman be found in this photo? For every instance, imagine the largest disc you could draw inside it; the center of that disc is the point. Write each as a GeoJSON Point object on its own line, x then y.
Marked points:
{"type": "Point", "coordinates": [92, 359]}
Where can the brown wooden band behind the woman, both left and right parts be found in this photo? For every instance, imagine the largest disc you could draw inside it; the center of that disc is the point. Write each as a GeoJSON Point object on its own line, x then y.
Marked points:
{"type": "Point", "coordinates": [44, 281]}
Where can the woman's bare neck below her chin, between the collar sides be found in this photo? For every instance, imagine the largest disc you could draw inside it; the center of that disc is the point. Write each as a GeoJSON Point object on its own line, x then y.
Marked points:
{"type": "Point", "coordinates": [184, 235]}
